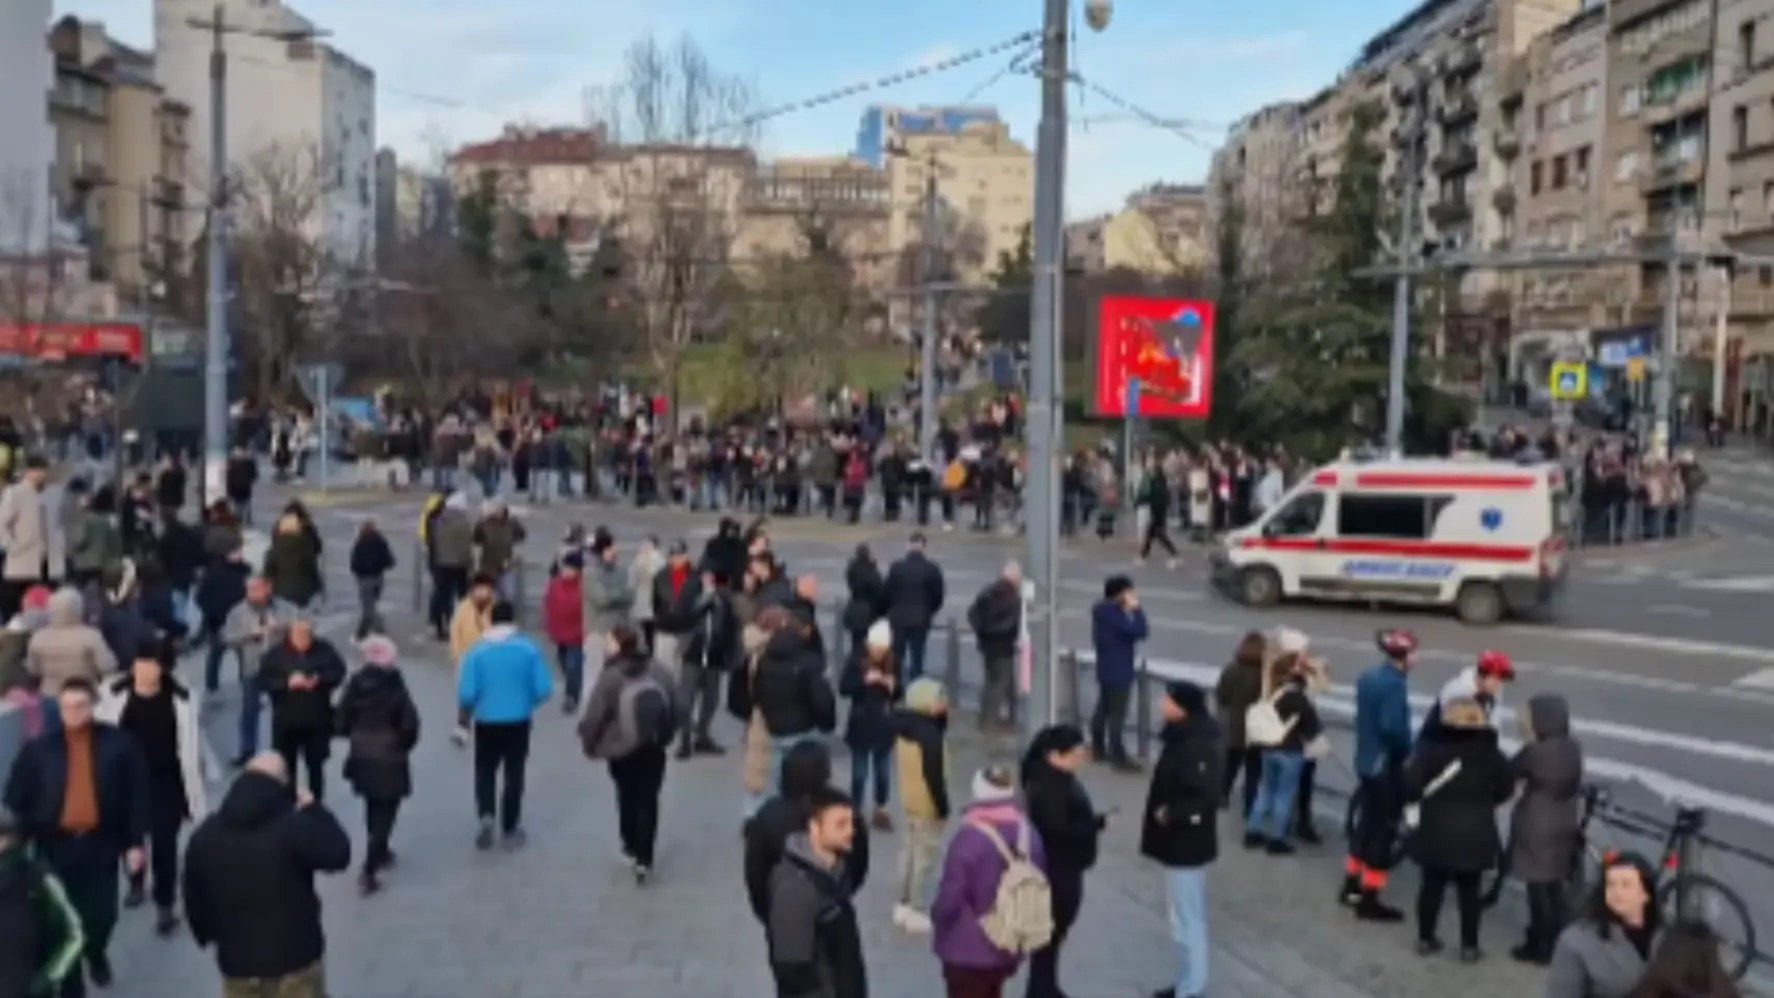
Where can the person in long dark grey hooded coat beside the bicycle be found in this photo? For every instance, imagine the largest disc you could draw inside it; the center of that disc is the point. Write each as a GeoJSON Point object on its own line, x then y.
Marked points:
{"type": "Point", "coordinates": [1544, 823]}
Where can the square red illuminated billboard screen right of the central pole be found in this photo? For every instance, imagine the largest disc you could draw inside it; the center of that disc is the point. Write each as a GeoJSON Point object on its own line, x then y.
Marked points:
{"type": "Point", "coordinates": [1154, 359]}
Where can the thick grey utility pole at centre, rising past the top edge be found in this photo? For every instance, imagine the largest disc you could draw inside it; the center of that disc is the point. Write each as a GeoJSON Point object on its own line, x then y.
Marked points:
{"type": "Point", "coordinates": [1044, 432]}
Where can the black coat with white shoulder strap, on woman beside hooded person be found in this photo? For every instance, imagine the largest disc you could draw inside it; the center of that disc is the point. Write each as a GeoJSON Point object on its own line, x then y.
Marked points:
{"type": "Point", "coordinates": [1459, 822]}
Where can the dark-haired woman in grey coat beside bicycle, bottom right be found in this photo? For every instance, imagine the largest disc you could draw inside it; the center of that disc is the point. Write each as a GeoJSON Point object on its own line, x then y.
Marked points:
{"type": "Point", "coordinates": [1605, 953]}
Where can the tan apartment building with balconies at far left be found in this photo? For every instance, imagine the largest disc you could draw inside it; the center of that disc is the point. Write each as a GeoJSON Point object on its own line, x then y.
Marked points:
{"type": "Point", "coordinates": [122, 155]}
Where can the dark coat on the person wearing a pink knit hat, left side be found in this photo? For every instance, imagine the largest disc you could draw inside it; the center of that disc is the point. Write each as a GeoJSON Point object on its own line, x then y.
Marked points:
{"type": "Point", "coordinates": [381, 724]}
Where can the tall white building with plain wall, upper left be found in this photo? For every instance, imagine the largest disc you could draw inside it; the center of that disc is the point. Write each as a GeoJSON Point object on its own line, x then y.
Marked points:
{"type": "Point", "coordinates": [292, 100]}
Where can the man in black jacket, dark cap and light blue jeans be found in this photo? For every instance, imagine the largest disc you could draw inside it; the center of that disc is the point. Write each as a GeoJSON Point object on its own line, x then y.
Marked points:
{"type": "Point", "coordinates": [1181, 830]}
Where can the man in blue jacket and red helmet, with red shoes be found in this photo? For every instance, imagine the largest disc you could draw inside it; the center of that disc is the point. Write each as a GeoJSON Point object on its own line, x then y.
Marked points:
{"type": "Point", "coordinates": [1383, 744]}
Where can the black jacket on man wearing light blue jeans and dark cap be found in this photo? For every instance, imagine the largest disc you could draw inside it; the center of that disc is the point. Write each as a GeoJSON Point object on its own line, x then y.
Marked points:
{"type": "Point", "coordinates": [1181, 823]}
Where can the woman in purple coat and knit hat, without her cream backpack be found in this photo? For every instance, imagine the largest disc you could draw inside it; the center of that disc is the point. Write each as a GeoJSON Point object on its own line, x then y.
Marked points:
{"type": "Point", "coordinates": [973, 965]}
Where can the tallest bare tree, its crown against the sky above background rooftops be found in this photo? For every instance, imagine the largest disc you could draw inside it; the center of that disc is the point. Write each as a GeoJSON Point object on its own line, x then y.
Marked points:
{"type": "Point", "coordinates": [679, 168]}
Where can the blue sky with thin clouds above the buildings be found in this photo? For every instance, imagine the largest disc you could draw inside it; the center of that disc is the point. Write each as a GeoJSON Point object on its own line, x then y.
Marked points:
{"type": "Point", "coordinates": [455, 70]}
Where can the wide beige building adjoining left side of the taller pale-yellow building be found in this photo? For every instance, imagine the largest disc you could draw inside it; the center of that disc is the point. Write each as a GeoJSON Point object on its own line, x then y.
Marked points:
{"type": "Point", "coordinates": [844, 196]}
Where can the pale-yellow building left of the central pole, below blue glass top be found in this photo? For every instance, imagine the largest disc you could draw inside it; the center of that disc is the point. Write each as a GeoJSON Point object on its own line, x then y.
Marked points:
{"type": "Point", "coordinates": [985, 180]}
